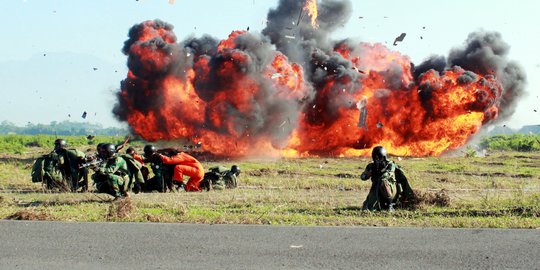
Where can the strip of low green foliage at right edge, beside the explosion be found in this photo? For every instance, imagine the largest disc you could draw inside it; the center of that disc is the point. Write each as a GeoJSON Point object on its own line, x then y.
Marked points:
{"type": "Point", "coordinates": [516, 142]}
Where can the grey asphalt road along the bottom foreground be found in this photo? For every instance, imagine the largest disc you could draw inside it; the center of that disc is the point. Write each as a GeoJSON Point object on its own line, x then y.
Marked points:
{"type": "Point", "coordinates": [61, 245]}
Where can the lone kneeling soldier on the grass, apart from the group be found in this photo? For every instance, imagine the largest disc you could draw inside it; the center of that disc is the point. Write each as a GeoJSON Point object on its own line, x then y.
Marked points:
{"type": "Point", "coordinates": [389, 183]}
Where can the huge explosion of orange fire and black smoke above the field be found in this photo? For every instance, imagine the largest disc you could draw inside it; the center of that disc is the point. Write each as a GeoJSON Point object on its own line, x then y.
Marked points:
{"type": "Point", "coordinates": [292, 91]}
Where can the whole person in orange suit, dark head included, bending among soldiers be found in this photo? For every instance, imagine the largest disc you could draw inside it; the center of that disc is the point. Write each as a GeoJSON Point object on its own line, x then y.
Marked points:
{"type": "Point", "coordinates": [184, 164]}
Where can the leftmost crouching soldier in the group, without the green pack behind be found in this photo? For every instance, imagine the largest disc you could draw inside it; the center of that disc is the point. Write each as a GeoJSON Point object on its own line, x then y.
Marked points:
{"type": "Point", "coordinates": [68, 162]}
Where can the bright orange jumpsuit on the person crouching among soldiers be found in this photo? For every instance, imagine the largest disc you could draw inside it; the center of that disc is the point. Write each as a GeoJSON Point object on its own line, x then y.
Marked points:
{"type": "Point", "coordinates": [186, 165]}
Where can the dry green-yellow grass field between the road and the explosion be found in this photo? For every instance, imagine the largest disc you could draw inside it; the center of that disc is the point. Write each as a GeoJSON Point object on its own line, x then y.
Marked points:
{"type": "Point", "coordinates": [501, 190]}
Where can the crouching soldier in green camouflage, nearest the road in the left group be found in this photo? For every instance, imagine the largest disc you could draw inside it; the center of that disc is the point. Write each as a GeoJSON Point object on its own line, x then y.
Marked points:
{"type": "Point", "coordinates": [112, 174]}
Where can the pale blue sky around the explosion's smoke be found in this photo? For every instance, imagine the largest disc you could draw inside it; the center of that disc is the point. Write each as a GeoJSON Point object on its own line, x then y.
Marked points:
{"type": "Point", "coordinates": [61, 58]}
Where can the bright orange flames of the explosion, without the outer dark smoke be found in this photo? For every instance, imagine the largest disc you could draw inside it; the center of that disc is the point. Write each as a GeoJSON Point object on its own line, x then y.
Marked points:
{"type": "Point", "coordinates": [239, 102]}
